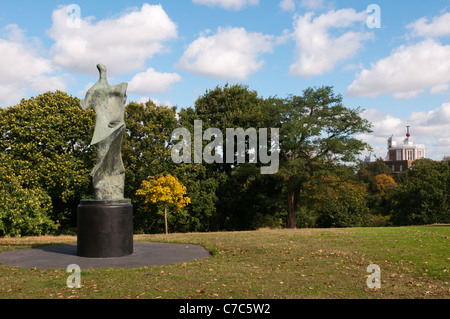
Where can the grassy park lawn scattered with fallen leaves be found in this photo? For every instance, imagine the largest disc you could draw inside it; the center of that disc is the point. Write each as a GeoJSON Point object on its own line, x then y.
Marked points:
{"type": "Point", "coordinates": [262, 264]}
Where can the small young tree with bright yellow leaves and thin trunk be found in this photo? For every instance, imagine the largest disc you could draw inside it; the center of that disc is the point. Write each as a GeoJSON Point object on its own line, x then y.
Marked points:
{"type": "Point", "coordinates": [166, 191]}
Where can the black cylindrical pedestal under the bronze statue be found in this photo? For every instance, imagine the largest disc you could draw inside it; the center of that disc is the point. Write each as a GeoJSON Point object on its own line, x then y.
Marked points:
{"type": "Point", "coordinates": [105, 228]}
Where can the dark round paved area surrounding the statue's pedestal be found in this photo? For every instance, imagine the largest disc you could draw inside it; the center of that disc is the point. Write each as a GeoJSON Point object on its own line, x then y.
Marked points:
{"type": "Point", "coordinates": [63, 255]}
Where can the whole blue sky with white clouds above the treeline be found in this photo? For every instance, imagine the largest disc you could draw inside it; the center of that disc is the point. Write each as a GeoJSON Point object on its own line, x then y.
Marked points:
{"type": "Point", "coordinates": [391, 58]}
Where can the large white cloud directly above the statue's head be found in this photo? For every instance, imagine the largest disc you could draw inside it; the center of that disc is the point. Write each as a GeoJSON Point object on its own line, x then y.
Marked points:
{"type": "Point", "coordinates": [122, 44]}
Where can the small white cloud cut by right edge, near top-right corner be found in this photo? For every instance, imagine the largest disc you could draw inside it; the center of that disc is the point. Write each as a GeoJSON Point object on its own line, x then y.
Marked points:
{"type": "Point", "coordinates": [440, 26]}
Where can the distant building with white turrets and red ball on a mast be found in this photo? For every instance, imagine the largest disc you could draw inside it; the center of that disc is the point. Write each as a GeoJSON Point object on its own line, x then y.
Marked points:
{"type": "Point", "coordinates": [400, 156]}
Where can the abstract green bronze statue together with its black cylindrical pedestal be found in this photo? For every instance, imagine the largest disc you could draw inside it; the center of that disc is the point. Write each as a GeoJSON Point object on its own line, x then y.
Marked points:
{"type": "Point", "coordinates": [105, 223]}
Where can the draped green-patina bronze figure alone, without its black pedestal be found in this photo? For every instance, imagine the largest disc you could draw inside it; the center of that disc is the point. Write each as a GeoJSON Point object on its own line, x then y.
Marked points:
{"type": "Point", "coordinates": [108, 102]}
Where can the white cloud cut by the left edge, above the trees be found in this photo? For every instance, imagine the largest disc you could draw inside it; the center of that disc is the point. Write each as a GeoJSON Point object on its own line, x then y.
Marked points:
{"type": "Point", "coordinates": [23, 69]}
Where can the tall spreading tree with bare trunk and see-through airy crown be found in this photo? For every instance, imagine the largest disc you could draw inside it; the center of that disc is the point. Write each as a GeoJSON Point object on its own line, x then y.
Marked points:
{"type": "Point", "coordinates": [316, 131]}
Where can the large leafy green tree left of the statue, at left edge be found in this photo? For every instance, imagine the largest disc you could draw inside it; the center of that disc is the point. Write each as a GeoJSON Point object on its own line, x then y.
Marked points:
{"type": "Point", "coordinates": [45, 140]}
